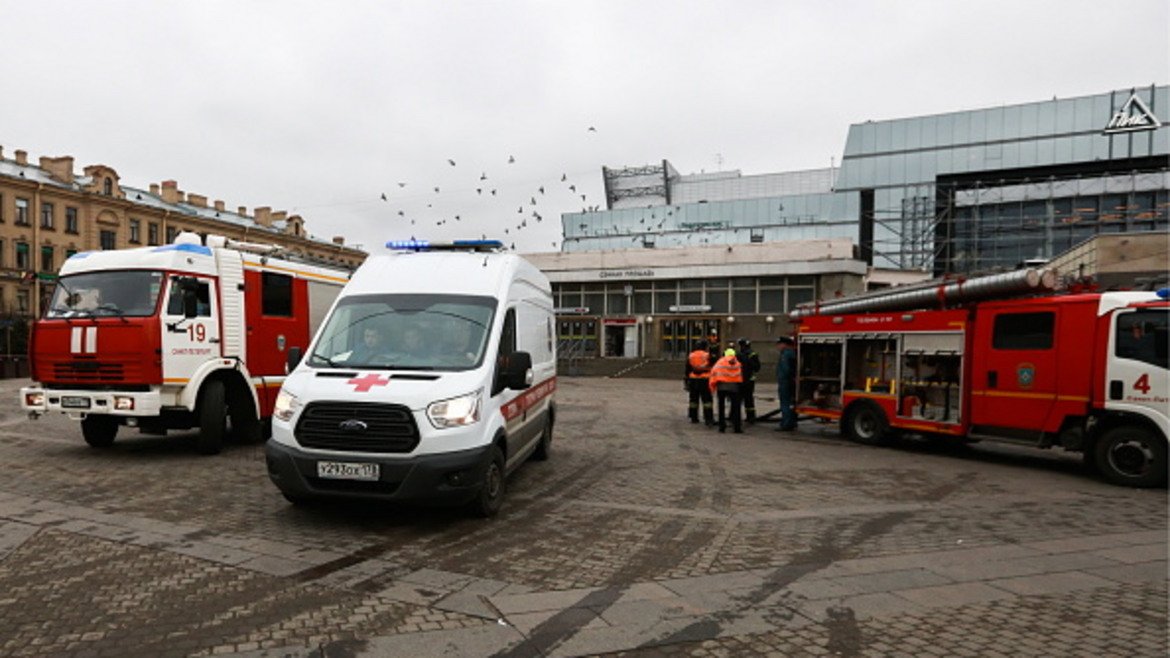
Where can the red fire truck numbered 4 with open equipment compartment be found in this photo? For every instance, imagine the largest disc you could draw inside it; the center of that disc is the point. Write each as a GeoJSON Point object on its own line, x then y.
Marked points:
{"type": "Point", "coordinates": [1000, 358]}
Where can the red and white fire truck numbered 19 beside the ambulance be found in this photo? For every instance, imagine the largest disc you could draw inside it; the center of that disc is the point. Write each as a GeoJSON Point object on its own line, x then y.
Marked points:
{"type": "Point", "coordinates": [177, 337]}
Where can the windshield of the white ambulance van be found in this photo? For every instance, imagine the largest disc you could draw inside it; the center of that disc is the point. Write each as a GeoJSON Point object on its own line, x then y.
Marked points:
{"type": "Point", "coordinates": [407, 333]}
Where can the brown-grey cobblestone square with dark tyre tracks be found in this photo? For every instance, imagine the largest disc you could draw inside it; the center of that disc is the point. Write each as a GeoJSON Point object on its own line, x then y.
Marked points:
{"type": "Point", "coordinates": [644, 536]}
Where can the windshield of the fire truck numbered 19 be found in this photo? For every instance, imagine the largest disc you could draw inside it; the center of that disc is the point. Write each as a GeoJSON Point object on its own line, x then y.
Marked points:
{"type": "Point", "coordinates": [119, 293]}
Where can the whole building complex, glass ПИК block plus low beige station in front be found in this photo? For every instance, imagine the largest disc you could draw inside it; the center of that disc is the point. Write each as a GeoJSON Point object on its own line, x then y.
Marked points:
{"type": "Point", "coordinates": [672, 257]}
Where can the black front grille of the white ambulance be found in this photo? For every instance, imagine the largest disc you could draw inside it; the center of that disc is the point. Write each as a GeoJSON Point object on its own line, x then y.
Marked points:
{"type": "Point", "coordinates": [357, 428]}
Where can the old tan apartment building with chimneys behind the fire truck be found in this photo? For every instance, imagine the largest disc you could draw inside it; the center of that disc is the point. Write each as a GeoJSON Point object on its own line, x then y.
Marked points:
{"type": "Point", "coordinates": [50, 213]}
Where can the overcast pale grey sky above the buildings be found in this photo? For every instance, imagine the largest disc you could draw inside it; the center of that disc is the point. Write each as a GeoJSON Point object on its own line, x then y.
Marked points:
{"type": "Point", "coordinates": [321, 108]}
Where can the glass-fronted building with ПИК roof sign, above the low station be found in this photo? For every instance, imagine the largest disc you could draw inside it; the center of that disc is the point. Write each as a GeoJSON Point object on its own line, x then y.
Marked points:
{"type": "Point", "coordinates": [962, 193]}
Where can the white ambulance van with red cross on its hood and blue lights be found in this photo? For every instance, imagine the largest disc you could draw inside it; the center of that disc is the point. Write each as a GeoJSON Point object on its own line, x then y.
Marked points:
{"type": "Point", "coordinates": [432, 380]}
